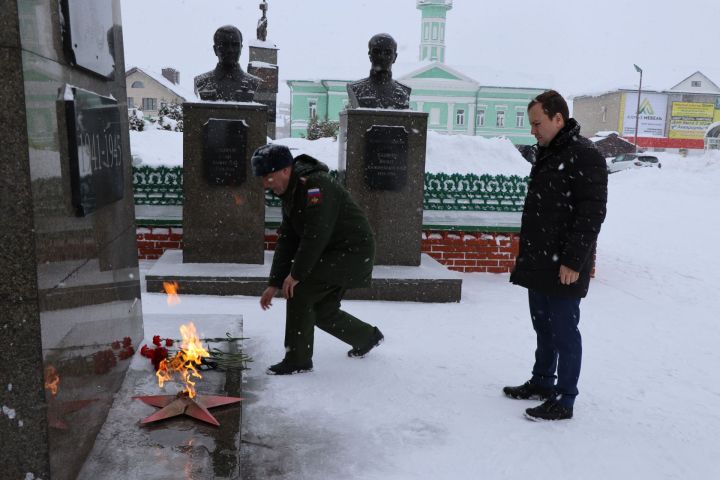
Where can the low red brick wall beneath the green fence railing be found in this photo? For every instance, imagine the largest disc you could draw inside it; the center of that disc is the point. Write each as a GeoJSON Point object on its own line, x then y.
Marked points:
{"type": "Point", "coordinates": [461, 251]}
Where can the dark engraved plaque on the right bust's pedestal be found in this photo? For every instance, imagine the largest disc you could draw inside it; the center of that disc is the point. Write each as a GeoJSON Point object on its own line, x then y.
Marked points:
{"type": "Point", "coordinates": [386, 149]}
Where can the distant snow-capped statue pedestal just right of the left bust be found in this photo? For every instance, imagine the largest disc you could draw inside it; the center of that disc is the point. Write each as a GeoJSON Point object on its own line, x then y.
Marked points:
{"type": "Point", "coordinates": [263, 64]}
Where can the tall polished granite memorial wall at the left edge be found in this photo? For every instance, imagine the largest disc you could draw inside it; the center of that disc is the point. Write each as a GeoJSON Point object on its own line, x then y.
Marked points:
{"type": "Point", "coordinates": [70, 310]}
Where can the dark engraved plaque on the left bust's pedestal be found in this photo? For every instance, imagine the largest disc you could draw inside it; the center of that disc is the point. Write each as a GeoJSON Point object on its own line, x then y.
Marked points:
{"type": "Point", "coordinates": [225, 151]}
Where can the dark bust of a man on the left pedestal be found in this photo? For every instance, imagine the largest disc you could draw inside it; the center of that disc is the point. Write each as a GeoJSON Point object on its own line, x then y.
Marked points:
{"type": "Point", "coordinates": [228, 82]}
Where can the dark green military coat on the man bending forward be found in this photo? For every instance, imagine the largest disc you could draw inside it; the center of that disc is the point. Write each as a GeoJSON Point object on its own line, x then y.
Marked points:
{"type": "Point", "coordinates": [324, 237]}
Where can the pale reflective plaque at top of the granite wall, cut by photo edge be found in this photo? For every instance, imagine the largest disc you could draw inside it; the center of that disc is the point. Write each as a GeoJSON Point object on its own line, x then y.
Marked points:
{"type": "Point", "coordinates": [88, 35]}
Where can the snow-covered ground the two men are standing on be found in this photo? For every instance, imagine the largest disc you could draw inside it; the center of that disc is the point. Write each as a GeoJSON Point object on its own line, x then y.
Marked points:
{"type": "Point", "coordinates": [427, 404]}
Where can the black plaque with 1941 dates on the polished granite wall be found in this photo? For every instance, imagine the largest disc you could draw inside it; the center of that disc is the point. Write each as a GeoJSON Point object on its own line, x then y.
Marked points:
{"type": "Point", "coordinates": [95, 151]}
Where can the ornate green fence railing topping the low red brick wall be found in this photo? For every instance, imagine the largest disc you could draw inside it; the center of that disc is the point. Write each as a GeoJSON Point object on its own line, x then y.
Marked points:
{"type": "Point", "coordinates": [489, 193]}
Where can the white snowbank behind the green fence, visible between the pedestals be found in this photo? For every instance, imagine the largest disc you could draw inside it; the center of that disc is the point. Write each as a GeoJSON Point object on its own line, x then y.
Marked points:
{"type": "Point", "coordinates": [445, 153]}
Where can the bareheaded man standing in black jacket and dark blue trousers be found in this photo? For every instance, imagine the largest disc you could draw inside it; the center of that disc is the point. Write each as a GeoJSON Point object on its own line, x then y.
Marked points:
{"type": "Point", "coordinates": [564, 209]}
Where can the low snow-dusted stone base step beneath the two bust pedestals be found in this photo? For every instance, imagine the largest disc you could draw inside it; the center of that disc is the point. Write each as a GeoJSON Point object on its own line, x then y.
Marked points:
{"type": "Point", "coordinates": [430, 282]}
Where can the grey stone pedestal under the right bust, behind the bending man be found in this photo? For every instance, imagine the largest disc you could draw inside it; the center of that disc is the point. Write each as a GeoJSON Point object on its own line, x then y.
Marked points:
{"type": "Point", "coordinates": [382, 164]}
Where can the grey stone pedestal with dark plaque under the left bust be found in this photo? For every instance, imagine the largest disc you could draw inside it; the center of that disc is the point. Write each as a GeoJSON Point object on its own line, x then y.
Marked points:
{"type": "Point", "coordinates": [224, 206]}
